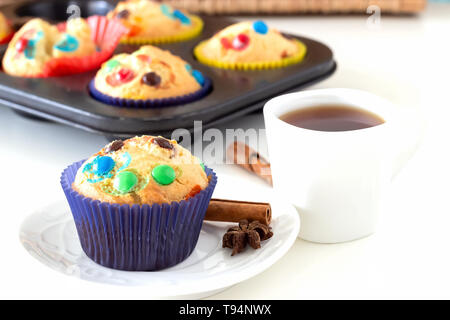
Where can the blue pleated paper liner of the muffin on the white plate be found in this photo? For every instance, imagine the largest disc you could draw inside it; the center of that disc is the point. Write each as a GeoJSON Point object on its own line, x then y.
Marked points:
{"type": "Point", "coordinates": [138, 237]}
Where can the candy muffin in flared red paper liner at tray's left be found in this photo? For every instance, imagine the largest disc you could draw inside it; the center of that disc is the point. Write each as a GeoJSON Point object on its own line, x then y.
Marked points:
{"type": "Point", "coordinates": [40, 49]}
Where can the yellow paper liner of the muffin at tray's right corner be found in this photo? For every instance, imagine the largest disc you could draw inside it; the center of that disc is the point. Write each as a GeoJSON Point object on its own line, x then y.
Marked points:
{"type": "Point", "coordinates": [248, 66]}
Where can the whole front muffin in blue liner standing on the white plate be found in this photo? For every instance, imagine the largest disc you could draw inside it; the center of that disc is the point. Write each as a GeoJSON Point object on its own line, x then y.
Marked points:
{"type": "Point", "coordinates": [139, 204]}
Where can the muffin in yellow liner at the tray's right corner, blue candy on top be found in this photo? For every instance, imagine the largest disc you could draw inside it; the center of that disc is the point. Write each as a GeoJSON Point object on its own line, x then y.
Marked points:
{"type": "Point", "coordinates": [249, 45]}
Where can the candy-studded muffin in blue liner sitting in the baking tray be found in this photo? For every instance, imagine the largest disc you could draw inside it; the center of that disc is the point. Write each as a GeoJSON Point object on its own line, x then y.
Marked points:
{"type": "Point", "coordinates": [149, 75]}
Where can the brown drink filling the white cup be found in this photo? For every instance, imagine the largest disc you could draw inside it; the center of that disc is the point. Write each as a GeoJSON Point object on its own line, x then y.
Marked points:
{"type": "Point", "coordinates": [332, 118]}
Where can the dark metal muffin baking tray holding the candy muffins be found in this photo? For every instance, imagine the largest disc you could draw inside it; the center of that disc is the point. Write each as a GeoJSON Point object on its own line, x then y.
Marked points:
{"type": "Point", "coordinates": [235, 93]}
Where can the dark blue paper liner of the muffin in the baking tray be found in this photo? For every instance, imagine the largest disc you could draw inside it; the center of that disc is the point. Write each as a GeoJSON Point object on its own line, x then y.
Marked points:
{"type": "Point", "coordinates": [150, 103]}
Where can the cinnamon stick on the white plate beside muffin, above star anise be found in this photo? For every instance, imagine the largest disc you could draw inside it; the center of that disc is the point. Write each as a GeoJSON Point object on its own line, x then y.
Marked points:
{"type": "Point", "coordinates": [235, 211]}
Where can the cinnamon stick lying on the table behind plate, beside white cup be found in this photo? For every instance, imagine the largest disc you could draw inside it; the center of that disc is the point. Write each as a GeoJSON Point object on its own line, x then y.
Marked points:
{"type": "Point", "coordinates": [244, 156]}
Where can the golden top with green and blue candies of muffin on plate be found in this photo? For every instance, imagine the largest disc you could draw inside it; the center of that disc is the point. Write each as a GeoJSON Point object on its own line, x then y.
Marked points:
{"type": "Point", "coordinates": [141, 170]}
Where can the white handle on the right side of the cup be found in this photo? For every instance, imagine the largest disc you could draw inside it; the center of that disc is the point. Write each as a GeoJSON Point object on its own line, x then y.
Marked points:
{"type": "Point", "coordinates": [410, 137]}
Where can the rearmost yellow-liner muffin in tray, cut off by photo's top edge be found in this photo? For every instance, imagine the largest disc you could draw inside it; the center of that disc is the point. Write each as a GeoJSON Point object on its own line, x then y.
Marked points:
{"type": "Point", "coordinates": [153, 22]}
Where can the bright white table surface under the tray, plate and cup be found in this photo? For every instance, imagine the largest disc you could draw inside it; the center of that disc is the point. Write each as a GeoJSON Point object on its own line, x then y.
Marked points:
{"type": "Point", "coordinates": [405, 61]}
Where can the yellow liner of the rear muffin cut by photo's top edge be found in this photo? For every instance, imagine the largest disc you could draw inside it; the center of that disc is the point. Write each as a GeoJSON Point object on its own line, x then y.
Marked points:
{"type": "Point", "coordinates": [197, 23]}
